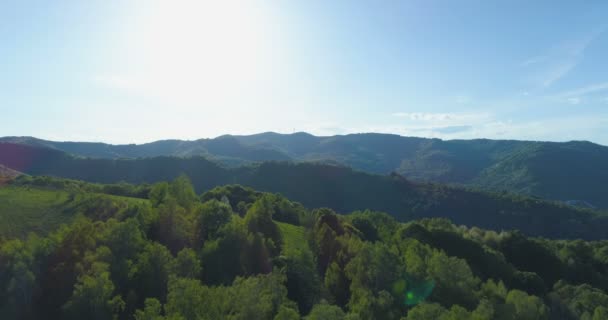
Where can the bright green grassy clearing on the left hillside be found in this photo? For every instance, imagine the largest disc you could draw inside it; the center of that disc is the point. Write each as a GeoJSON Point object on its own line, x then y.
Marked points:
{"type": "Point", "coordinates": [28, 209]}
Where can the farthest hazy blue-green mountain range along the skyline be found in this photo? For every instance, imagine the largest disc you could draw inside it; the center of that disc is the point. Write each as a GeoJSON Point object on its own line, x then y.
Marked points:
{"type": "Point", "coordinates": [570, 171]}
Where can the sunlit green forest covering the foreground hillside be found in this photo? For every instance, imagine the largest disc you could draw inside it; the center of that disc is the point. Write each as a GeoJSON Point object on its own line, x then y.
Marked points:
{"type": "Point", "coordinates": [162, 251]}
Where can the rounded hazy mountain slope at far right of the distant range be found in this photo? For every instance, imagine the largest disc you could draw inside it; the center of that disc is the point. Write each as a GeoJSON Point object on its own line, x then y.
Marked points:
{"type": "Point", "coordinates": [573, 170]}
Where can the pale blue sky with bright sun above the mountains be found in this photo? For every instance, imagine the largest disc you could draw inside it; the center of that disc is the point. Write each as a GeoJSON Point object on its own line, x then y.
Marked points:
{"type": "Point", "coordinates": [135, 71]}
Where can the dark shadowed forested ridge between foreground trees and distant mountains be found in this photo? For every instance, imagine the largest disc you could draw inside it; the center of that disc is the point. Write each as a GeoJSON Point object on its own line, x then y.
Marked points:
{"type": "Point", "coordinates": [321, 185]}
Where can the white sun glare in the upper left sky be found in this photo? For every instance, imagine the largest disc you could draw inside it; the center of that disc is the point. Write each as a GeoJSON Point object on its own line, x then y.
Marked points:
{"type": "Point", "coordinates": [198, 52]}
